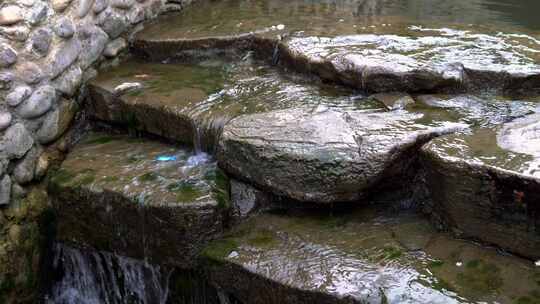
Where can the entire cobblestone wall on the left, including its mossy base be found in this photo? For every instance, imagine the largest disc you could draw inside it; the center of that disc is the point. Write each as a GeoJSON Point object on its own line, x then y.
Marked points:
{"type": "Point", "coordinates": [48, 49]}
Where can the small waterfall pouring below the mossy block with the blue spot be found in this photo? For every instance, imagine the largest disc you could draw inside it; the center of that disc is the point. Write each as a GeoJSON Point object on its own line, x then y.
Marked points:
{"type": "Point", "coordinates": [87, 277]}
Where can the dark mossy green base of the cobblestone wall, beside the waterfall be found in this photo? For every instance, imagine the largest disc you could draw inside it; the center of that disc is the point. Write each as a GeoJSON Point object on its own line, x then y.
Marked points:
{"type": "Point", "coordinates": [27, 228]}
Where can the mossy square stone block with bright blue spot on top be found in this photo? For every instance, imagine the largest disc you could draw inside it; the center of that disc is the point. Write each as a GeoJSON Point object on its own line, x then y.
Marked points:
{"type": "Point", "coordinates": [139, 198]}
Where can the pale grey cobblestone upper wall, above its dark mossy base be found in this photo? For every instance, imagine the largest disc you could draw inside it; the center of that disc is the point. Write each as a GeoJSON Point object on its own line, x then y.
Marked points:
{"type": "Point", "coordinates": [47, 49]}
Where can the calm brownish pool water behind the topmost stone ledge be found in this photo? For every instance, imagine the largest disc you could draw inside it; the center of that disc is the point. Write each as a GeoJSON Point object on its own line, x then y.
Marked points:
{"type": "Point", "coordinates": [343, 17]}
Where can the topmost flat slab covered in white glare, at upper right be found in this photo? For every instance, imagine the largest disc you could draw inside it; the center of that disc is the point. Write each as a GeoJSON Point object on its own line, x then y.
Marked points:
{"type": "Point", "coordinates": [418, 60]}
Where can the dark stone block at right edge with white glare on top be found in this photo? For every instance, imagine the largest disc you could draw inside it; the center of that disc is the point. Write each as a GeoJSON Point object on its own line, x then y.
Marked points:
{"type": "Point", "coordinates": [485, 184]}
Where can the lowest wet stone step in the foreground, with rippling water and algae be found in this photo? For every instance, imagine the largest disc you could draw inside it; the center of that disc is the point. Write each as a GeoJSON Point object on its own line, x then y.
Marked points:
{"type": "Point", "coordinates": [360, 256]}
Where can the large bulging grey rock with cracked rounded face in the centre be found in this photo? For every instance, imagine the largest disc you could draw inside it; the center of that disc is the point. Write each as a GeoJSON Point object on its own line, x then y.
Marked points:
{"type": "Point", "coordinates": [324, 155]}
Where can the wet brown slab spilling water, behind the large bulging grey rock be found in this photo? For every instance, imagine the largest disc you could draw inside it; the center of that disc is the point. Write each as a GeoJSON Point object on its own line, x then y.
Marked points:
{"type": "Point", "coordinates": [191, 103]}
